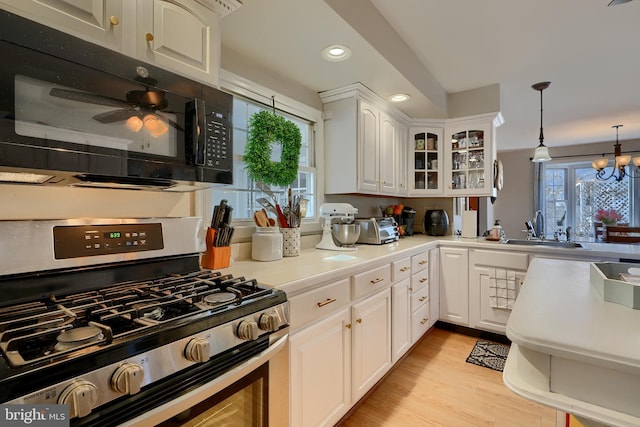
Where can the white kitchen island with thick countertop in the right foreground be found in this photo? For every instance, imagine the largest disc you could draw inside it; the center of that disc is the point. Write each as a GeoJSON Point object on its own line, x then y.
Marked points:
{"type": "Point", "coordinates": [560, 321]}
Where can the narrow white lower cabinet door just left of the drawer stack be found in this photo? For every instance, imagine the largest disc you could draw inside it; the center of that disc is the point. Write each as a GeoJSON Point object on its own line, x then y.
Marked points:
{"type": "Point", "coordinates": [401, 318]}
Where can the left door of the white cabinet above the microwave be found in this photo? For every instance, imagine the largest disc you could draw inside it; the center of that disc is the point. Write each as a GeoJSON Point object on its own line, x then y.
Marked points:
{"type": "Point", "coordinates": [97, 21]}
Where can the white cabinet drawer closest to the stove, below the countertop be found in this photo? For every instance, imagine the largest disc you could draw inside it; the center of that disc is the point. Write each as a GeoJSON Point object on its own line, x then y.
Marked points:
{"type": "Point", "coordinates": [318, 303]}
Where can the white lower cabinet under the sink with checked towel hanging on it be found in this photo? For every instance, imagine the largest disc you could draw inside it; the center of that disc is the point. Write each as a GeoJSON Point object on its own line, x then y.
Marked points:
{"type": "Point", "coordinates": [495, 278]}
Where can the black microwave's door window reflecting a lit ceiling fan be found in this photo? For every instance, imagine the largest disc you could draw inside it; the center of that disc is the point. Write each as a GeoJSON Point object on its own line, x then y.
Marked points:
{"type": "Point", "coordinates": [138, 120]}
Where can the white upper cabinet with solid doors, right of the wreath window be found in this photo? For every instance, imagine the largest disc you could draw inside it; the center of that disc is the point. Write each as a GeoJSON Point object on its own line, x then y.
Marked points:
{"type": "Point", "coordinates": [364, 143]}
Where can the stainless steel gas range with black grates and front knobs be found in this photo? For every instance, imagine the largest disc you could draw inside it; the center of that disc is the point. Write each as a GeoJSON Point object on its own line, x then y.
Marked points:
{"type": "Point", "coordinates": [116, 319]}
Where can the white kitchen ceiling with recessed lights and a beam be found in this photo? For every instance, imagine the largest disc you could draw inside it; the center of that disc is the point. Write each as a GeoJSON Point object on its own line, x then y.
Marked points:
{"type": "Point", "coordinates": [430, 48]}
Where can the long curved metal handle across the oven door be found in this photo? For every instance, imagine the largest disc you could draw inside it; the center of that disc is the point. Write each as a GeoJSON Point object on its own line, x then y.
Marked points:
{"type": "Point", "coordinates": [186, 401]}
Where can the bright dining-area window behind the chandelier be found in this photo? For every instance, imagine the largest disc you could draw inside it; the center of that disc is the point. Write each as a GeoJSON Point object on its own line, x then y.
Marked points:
{"type": "Point", "coordinates": [571, 195]}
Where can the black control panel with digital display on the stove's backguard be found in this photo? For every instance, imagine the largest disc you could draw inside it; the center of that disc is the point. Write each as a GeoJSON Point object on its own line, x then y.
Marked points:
{"type": "Point", "coordinates": [75, 241]}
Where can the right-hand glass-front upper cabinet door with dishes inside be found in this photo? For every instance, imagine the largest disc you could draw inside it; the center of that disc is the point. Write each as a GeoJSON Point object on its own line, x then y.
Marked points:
{"type": "Point", "coordinates": [470, 153]}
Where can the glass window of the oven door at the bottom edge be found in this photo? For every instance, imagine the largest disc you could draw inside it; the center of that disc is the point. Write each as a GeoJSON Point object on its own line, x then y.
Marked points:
{"type": "Point", "coordinates": [243, 404]}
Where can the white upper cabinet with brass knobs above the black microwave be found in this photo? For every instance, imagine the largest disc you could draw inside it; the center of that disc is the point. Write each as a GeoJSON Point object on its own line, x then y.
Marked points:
{"type": "Point", "coordinates": [182, 36]}
